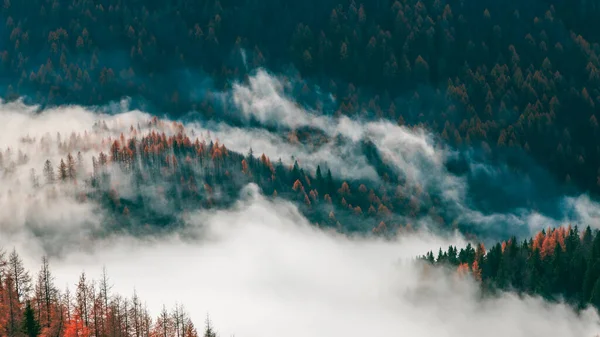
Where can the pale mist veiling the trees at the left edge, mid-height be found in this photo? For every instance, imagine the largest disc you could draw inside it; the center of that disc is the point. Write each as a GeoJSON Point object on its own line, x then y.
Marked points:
{"type": "Point", "coordinates": [51, 216]}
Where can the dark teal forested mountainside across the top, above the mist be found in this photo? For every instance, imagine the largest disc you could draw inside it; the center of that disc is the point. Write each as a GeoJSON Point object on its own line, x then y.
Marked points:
{"type": "Point", "coordinates": [517, 74]}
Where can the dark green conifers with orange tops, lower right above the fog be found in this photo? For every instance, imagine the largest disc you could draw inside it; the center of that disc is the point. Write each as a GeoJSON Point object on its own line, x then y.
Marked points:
{"type": "Point", "coordinates": [557, 264]}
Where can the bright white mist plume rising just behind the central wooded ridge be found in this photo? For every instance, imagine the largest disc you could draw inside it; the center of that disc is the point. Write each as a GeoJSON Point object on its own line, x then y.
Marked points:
{"type": "Point", "coordinates": [412, 152]}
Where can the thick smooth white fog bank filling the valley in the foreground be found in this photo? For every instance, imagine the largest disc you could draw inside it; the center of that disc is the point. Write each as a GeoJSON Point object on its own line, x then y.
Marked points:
{"type": "Point", "coordinates": [262, 270]}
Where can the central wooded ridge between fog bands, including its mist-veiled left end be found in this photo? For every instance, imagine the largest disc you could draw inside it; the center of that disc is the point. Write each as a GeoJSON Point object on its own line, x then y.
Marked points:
{"type": "Point", "coordinates": [183, 174]}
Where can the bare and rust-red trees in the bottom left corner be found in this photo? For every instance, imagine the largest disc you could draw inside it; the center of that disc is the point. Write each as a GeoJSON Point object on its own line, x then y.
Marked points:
{"type": "Point", "coordinates": [32, 305]}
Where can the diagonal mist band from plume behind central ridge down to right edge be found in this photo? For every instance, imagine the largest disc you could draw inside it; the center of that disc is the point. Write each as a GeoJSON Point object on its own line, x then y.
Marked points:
{"type": "Point", "coordinates": [416, 157]}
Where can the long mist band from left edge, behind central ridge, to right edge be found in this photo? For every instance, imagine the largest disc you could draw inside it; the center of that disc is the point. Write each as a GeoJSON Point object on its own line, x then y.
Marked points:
{"type": "Point", "coordinates": [414, 158]}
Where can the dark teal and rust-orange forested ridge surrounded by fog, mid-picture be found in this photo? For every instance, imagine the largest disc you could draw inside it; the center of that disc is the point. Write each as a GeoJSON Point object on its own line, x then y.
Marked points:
{"type": "Point", "coordinates": [166, 177]}
